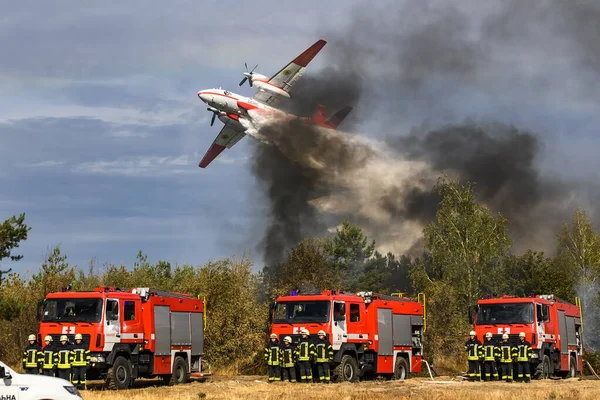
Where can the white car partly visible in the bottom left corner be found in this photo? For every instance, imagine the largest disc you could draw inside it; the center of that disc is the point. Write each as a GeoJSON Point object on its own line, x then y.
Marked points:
{"type": "Point", "coordinates": [15, 386]}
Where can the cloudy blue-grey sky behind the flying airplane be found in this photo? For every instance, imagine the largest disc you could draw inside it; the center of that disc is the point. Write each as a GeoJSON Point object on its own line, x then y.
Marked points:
{"type": "Point", "coordinates": [101, 130]}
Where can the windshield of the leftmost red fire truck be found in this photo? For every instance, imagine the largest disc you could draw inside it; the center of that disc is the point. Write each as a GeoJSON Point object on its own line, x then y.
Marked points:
{"type": "Point", "coordinates": [72, 310]}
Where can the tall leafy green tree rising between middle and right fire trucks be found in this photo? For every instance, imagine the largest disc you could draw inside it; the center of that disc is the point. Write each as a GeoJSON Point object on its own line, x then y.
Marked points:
{"type": "Point", "coordinates": [465, 242]}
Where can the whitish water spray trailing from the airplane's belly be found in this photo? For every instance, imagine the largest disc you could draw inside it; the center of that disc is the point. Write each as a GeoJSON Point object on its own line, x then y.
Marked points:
{"type": "Point", "coordinates": [361, 172]}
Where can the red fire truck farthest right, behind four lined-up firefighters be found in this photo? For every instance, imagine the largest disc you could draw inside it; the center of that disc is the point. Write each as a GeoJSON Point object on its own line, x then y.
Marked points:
{"type": "Point", "coordinates": [551, 325]}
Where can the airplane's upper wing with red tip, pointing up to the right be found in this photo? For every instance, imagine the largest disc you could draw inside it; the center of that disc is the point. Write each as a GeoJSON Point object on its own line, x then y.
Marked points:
{"type": "Point", "coordinates": [288, 75]}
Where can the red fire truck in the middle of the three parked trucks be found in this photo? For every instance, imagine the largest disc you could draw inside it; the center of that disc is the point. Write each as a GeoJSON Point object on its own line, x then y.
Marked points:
{"type": "Point", "coordinates": [370, 333]}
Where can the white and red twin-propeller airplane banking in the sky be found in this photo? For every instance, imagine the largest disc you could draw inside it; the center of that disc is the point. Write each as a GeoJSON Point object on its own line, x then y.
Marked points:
{"type": "Point", "coordinates": [235, 110]}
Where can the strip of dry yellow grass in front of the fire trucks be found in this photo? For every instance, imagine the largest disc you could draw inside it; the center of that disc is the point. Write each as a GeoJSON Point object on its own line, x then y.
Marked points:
{"type": "Point", "coordinates": [248, 387]}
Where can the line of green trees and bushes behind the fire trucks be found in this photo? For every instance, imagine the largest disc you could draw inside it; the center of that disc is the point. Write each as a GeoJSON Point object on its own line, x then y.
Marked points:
{"type": "Point", "coordinates": [466, 256]}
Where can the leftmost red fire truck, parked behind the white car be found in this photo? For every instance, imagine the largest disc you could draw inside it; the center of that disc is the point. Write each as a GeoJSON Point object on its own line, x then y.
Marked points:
{"type": "Point", "coordinates": [131, 333]}
